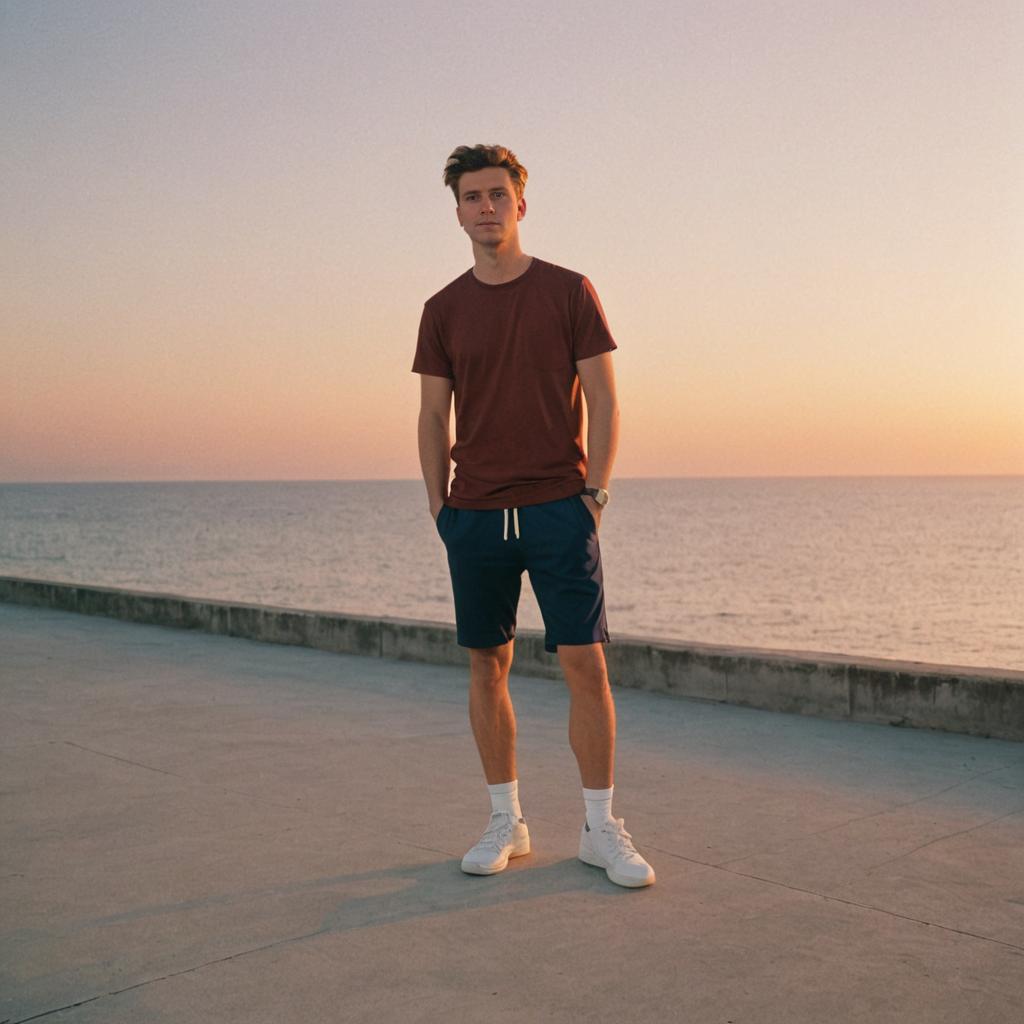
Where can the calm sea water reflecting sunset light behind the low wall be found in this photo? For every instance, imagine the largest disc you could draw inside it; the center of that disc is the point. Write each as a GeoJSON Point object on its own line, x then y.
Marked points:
{"type": "Point", "coordinates": [925, 569]}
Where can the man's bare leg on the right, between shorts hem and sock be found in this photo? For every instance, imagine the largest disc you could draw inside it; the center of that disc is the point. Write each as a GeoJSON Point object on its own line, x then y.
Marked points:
{"type": "Point", "coordinates": [592, 713]}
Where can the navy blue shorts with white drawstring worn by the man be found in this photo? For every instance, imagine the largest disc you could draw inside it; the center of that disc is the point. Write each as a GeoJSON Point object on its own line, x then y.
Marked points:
{"type": "Point", "coordinates": [556, 542]}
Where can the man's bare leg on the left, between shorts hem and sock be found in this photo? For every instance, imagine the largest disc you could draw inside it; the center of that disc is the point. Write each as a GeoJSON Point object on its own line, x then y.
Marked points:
{"type": "Point", "coordinates": [491, 711]}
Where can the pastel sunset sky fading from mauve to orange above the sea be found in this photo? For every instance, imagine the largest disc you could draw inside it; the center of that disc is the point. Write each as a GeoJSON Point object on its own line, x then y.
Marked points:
{"type": "Point", "coordinates": [221, 222]}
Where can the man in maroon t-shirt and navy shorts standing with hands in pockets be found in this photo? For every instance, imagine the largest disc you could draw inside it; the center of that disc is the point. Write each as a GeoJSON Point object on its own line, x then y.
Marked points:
{"type": "Point", "coordinates": [515, 338]}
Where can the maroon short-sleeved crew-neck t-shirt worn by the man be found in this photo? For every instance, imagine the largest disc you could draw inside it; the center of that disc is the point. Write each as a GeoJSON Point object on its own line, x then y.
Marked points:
{"type": "Point", "coordinates": [511, 351]}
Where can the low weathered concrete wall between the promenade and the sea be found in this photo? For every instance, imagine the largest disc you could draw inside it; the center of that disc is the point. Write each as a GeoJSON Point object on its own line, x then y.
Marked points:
{"type": "Point", "coordinates": [978, 702]}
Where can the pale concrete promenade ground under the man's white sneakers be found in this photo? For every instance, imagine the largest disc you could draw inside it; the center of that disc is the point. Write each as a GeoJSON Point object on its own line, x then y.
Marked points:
{"type": "Point", "coordinates": [207, 829]}
